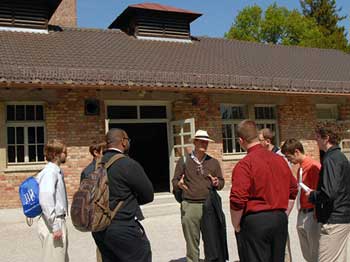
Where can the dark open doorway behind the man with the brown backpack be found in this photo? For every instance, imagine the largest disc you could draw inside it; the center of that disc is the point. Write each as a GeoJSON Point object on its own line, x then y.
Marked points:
{"type": "Point", "coordinates": [149, 147]}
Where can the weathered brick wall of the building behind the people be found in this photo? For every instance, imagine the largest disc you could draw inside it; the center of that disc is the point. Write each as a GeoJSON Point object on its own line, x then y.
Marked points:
{"type": "Point", "coordinates": [65, 119]}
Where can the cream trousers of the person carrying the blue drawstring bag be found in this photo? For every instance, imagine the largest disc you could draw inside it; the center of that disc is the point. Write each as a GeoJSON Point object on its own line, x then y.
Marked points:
{"type": "Point", "coordinates": [53, 250]}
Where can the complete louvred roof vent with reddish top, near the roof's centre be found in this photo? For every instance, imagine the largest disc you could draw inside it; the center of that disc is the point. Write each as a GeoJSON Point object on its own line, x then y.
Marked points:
{"type": "Point", "coordinates": [155, 21]}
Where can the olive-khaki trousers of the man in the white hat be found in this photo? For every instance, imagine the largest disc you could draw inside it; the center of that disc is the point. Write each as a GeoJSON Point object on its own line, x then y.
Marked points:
{"type": "Point", "coordinates": [191, 215]}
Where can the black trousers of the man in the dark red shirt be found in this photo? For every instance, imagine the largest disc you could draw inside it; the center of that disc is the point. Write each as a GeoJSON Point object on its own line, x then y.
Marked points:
{"type": "Point", "coordinates": [263, 237]}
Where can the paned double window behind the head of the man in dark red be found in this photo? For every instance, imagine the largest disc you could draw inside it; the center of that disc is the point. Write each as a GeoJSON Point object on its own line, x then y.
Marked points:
{"type": "Point", "coordinates": [265, 116]}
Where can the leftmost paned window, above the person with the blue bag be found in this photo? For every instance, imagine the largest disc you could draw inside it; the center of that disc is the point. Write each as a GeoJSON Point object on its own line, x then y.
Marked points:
{"type": "Point", "coordinates": [25, 133]}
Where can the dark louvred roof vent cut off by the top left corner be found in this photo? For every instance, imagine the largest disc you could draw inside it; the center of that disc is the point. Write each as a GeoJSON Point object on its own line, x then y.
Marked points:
{"type": "Point", "coordinates": [24, 14]}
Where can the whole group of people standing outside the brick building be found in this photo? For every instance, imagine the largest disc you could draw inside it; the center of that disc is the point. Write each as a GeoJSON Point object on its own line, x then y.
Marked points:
{"type": "Point", "coordinates": [263, 192]}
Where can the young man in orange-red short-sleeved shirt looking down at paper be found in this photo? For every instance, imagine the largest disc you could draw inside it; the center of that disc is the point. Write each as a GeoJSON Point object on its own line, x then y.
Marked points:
{"type": "Point", "coordinates": [308, 173]}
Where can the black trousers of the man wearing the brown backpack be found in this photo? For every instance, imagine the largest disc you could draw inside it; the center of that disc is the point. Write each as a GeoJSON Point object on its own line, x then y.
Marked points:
{"type": "Point", "coordinates": [124, 243]}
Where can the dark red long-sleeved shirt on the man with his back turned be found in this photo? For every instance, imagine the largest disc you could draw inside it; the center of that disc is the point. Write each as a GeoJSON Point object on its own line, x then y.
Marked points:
{"type": "Point", "coordinates": [262, 181]}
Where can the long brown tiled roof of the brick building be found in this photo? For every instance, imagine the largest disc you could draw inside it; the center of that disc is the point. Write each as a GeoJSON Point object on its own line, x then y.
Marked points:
{"type": "Point", "coordinates": [112, 58]}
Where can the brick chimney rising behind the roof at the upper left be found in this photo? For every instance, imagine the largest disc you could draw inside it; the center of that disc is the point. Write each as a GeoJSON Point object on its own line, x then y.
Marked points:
{"type": "Point", "coordinates": [66, 14]}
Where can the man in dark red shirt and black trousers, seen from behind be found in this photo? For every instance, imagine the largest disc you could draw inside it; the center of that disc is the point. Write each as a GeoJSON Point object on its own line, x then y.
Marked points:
{"type": "Point", "coordinates": [262, 184]}
